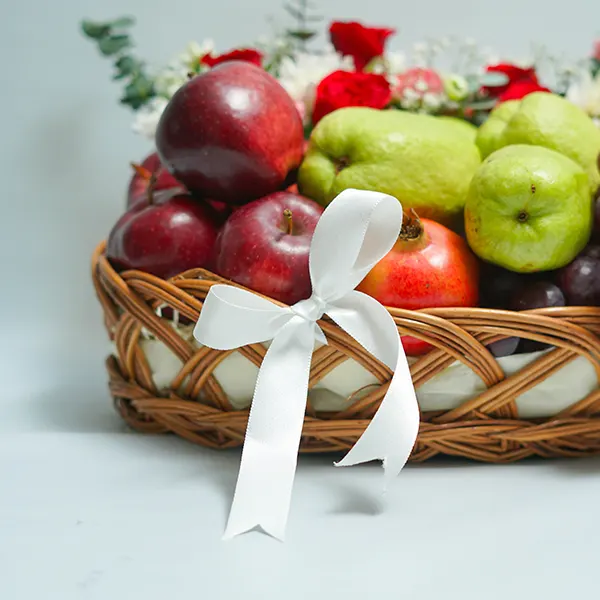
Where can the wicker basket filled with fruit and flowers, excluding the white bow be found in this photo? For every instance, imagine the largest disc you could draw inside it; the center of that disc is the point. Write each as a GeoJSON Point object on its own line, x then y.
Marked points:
{"type": "Point", "coordinates": [497, 171]}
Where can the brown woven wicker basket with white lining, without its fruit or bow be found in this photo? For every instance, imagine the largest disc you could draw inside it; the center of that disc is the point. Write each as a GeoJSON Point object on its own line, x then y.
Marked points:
{"type": "Point", "coordinates": [193, 396]}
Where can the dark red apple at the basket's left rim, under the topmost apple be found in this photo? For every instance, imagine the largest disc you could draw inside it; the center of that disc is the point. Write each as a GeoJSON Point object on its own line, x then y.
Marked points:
{"type": "Point", "coordinates": [165, 238]}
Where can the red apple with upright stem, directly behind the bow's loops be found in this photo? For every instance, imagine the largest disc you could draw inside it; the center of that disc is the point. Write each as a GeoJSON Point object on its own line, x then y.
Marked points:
{"type": "Point", "coordinates": [255, 250]}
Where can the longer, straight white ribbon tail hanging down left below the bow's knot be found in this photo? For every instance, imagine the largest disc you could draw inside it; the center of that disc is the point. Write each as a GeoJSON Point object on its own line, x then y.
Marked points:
{"type": "Point", "coordinates": [270, 454]}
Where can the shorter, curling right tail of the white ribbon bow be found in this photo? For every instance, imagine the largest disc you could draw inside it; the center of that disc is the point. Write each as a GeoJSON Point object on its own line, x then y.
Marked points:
{"type": "Point", "coordinates": [391, 434]}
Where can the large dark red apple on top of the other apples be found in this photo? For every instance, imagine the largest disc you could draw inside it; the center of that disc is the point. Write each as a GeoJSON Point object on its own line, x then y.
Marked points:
{"type": "Point", "coordinates": [232, 134]}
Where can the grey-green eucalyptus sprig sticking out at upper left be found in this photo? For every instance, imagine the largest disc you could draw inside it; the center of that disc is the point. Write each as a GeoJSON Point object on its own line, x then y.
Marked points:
{"type": "Point", "coordinates": [114, 41]}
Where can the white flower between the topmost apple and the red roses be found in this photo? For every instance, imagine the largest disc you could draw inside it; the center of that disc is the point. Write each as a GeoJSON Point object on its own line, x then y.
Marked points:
{"type": "Point", "coordinates": [301, 74]}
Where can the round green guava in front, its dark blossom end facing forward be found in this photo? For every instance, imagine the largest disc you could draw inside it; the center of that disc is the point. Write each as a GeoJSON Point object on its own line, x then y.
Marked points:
{"type": "Point", "coordinates": [528, 209]}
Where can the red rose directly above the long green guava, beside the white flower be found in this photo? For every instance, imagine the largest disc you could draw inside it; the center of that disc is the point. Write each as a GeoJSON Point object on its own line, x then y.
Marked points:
{"type": "Point", "coordinates": [341, 88]}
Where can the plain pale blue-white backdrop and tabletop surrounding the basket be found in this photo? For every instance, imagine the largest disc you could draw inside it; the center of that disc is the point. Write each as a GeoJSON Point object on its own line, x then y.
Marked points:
{"type": "Point", "coordinates": [89, 510]}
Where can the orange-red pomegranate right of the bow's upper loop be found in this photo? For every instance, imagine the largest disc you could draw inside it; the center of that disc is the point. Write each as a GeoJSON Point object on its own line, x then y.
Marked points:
{"type": "Point", "coordinates": [437, 270]}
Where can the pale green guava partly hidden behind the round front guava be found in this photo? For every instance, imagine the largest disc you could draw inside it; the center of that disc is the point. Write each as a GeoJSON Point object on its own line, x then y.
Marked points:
{"type": "Point", "coordinates": [544, 119]}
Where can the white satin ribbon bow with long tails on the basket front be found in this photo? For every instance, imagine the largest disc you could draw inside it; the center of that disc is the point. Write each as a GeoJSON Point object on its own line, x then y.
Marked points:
{"type": "Point", "coordinates": [357, 229]}
